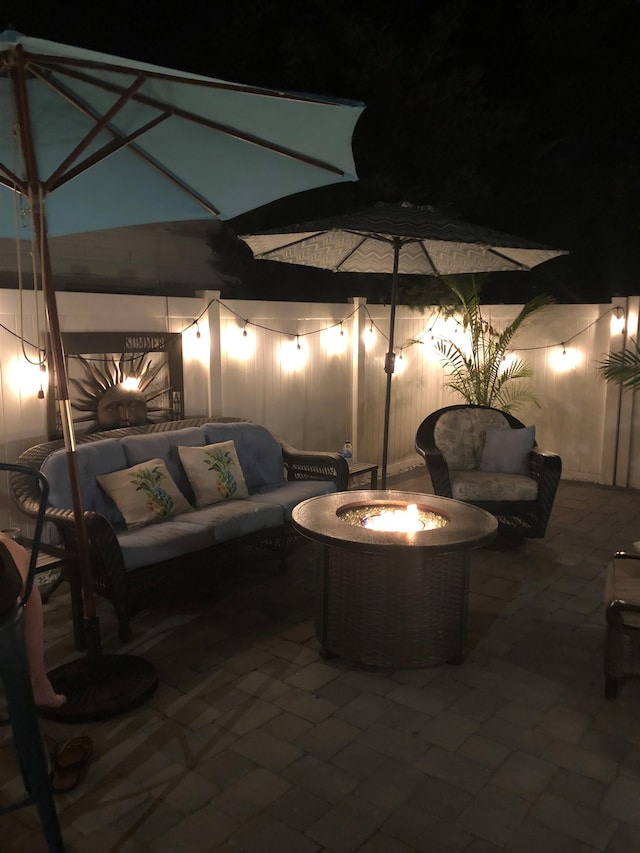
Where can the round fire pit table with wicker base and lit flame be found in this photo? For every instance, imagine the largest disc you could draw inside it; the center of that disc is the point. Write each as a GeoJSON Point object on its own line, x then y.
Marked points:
{"type": "Point", "coordinates": [392, 599]}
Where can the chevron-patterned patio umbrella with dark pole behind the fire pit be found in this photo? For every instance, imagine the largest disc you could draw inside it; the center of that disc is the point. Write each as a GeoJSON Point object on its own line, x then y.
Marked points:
{"type": "Point", "coordinates": [401, 239]}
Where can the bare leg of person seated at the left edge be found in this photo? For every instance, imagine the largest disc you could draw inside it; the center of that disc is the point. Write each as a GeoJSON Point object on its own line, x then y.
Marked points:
{"type": "Point", "coordinates": [43, 692]}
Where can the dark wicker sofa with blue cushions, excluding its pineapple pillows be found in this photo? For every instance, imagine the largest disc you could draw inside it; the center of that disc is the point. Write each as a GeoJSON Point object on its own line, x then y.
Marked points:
{"type": "Point", "coordinates": [127, 563]}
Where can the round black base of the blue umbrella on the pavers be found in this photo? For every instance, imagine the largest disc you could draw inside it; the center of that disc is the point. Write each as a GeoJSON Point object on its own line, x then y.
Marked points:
{"type": "Point", "coordinates": [101, 689]}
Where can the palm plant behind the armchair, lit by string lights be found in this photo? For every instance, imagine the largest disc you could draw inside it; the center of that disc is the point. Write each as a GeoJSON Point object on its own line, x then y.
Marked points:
{"type": "Point", "coordinates": [480, 373]}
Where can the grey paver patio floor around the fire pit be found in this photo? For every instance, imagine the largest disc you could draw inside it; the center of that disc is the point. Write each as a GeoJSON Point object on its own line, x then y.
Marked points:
{"type": "Point", "coordinates": [254, 743]}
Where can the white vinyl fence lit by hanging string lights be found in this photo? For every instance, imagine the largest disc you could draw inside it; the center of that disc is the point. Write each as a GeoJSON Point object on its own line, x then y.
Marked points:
{"type": "Point", "coordinates": [314, 373]}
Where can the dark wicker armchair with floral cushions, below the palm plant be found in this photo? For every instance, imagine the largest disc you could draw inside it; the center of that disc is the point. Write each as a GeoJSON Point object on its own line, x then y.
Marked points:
{"type": "Point", "coordinates": [452, 442]}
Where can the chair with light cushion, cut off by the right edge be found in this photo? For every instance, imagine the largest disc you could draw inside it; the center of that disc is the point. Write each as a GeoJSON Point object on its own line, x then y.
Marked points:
{"type": "Point", "coordinates": [622, 638]}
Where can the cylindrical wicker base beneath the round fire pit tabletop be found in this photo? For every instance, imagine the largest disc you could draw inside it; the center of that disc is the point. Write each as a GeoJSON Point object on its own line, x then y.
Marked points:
{"type": "Point", "coordinates": [392, 612]}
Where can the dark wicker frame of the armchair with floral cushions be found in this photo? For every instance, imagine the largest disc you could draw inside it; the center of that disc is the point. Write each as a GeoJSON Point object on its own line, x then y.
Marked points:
{"type": "Point", "coordinates": [515, 518]}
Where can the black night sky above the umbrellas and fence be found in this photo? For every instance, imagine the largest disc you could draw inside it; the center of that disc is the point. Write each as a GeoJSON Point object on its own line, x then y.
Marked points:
{"type": "Point", "coordinates": [521, 115]}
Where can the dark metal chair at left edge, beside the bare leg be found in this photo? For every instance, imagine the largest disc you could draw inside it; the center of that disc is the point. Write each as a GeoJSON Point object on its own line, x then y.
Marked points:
{"type": "Point", "coordinates": [14, 670]}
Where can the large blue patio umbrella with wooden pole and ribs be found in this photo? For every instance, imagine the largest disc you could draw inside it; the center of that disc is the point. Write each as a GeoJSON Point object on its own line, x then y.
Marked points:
{"type": "Point", "coordinates": [91, 141]}
